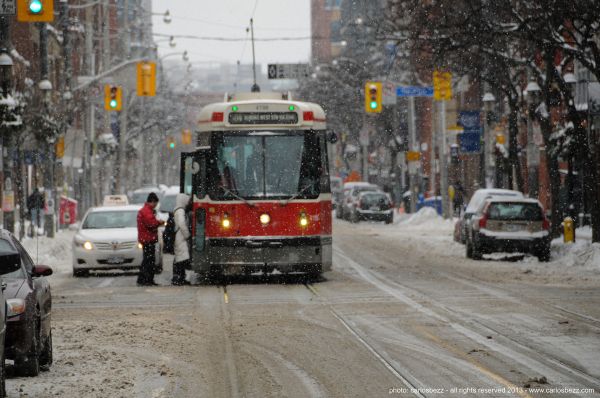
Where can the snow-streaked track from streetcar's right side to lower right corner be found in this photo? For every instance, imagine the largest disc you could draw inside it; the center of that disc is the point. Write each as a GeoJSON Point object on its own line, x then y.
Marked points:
{"type": "Point", "coordinates": [394, 287]}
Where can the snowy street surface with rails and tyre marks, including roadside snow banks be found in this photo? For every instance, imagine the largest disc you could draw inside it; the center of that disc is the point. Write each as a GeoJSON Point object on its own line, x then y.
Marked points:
{"type": "Point", "coordinates": [401, 309]}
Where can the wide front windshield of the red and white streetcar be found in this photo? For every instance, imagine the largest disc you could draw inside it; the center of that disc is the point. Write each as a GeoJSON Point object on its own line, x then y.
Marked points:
{"type": "Point", "coordinates": [265, 165]}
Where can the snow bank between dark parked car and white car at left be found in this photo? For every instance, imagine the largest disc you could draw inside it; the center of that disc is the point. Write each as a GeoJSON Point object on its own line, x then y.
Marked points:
{"type": "Point", "coordinates": [55, 252]}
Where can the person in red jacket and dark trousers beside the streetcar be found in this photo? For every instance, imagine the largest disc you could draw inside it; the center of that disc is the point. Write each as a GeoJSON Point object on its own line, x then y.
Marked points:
{"type": "Point", "coordinates": [148, 236]}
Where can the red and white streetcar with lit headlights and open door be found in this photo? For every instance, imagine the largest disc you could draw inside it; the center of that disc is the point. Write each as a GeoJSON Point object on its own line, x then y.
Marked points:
{"type": "Point", "coordinates": [260, 184]}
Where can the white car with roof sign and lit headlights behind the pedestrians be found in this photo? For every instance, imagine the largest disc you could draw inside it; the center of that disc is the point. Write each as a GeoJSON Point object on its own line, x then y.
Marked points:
{"type": "Point", "coordinates": [107, 240]}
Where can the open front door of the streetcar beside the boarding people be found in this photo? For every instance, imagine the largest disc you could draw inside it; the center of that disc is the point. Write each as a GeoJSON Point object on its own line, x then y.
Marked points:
{"type": "Point", "coordinates": [193, 182]}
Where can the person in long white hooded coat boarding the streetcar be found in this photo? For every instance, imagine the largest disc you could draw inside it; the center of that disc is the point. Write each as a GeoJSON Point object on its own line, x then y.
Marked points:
{"type": "Point", "coordinates": [182, 234]}
